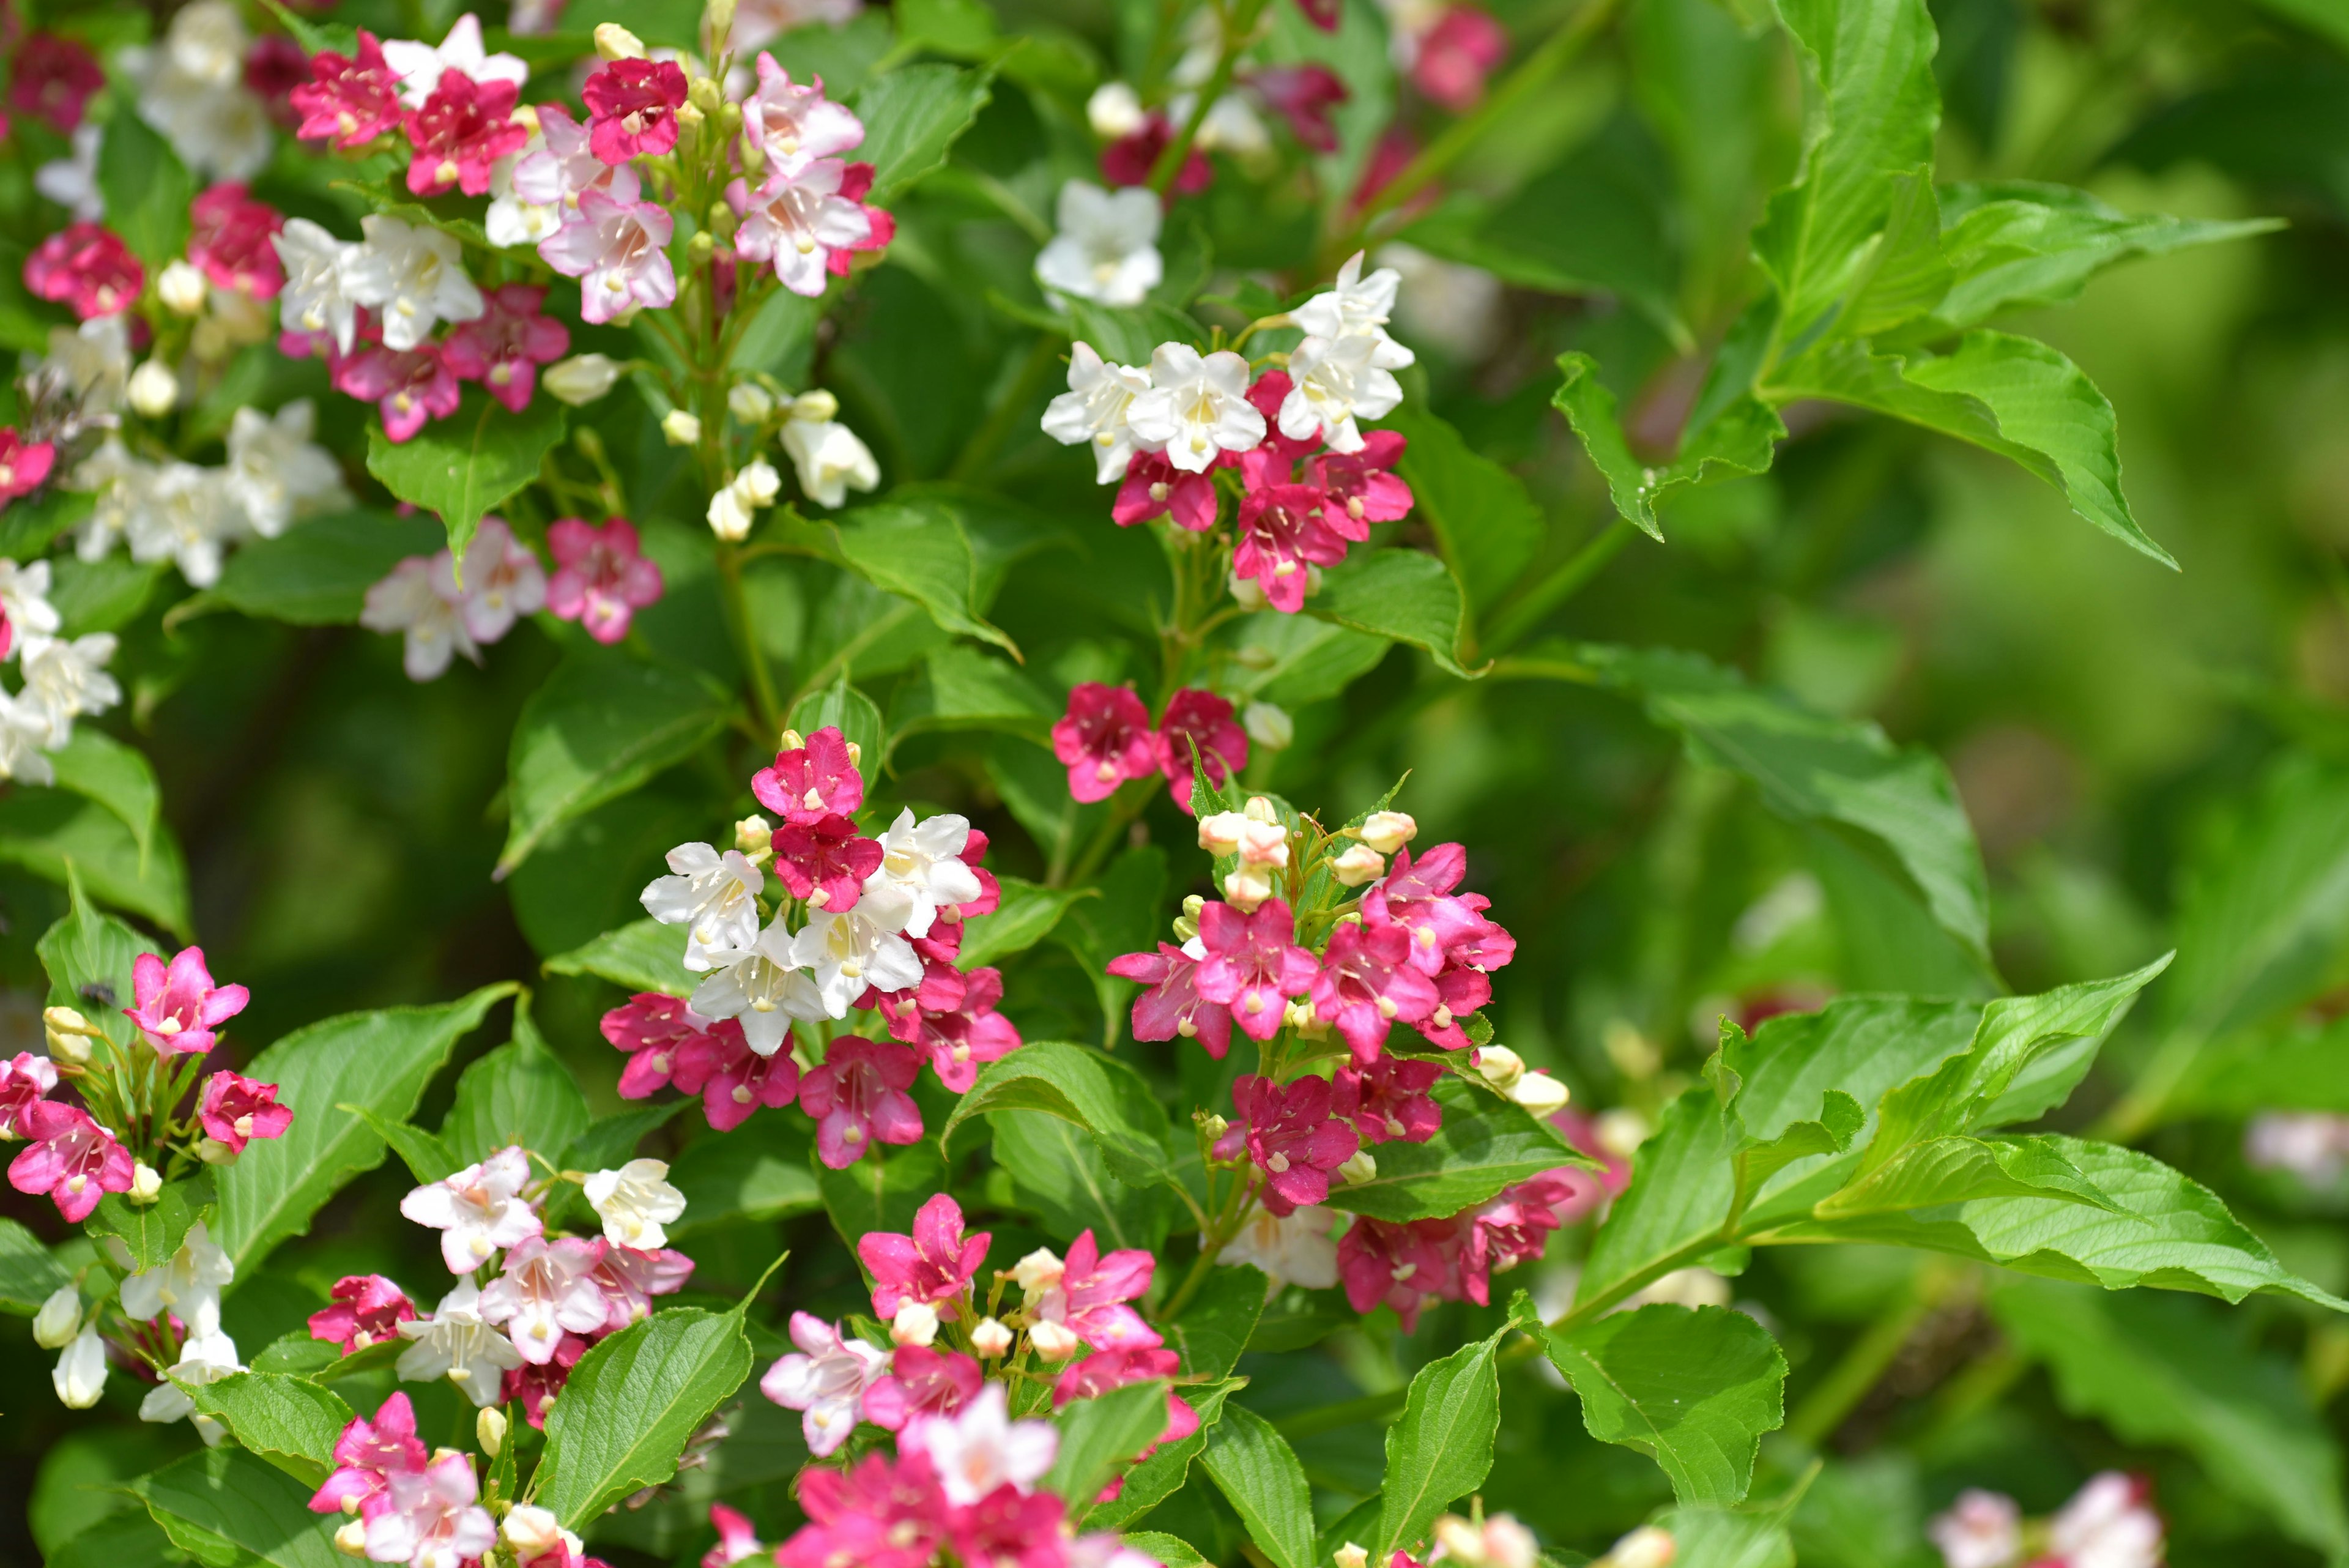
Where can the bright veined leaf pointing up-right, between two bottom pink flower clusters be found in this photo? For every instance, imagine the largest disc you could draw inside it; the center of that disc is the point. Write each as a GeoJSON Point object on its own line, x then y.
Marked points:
{"type": "Point", "coordinates": [631, 1405]}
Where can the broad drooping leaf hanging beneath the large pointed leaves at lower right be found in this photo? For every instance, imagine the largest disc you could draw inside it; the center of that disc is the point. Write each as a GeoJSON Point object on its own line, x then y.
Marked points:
{"type": "Point", "coordinates": [1692, 1391]}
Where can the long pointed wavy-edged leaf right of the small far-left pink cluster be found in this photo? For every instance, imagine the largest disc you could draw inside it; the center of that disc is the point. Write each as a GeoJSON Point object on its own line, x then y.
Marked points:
{"type": "Point", "coordinates": [379, 1061]}
